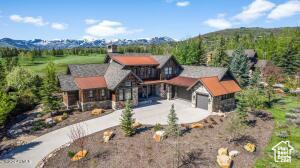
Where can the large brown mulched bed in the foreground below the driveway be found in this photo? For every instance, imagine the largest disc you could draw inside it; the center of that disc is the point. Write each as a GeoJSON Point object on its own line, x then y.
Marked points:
{"type": "Point", "coordinates": [195, 148]}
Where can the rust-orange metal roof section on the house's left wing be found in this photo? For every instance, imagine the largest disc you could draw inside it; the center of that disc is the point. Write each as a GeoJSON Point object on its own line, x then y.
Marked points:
{"type": "Point", "coordinates": [90, 82]}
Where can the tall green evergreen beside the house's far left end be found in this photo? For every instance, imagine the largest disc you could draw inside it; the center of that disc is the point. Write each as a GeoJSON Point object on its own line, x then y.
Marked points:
{"type": "Point", "coordinates": [49, 89]}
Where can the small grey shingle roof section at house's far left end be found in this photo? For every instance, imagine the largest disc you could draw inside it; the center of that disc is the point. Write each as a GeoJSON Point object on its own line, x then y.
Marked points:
{"type": "Point", "coordinates": [67, 83]}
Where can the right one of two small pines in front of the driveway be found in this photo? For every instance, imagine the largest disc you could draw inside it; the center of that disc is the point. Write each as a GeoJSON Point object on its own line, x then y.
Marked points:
{"type": "Point", "coordinates": [172, 129]}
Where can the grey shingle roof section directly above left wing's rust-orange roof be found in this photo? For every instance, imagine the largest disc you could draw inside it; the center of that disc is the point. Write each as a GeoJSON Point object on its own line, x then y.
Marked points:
{"type": "Point", "coordinates": [85, 70]}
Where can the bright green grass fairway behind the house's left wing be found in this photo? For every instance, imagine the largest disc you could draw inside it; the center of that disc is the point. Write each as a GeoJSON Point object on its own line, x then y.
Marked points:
{"type": "Point", "coordinates": [39, 64]}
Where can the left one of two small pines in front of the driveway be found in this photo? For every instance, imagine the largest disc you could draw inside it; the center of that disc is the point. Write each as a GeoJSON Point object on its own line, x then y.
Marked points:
{"type": "Point", "coordinates": [127, 120]}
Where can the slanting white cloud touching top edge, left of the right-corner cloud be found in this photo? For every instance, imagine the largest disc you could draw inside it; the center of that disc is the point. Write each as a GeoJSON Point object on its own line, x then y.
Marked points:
{"type": "Point", "coordinates": [254, 10]}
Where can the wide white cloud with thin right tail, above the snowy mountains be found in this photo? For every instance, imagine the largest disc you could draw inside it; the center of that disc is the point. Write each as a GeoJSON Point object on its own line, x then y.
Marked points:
{"type": "Point", "coordinates": [107, 28]}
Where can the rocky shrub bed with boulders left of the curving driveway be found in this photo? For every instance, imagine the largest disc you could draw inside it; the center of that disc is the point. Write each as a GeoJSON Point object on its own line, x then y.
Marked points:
{"type": "Point", "coordinates": [30, 126]}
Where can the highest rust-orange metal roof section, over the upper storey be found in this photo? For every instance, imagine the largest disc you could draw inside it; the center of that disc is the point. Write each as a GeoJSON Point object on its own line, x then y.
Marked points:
{"type": "Point", "coordinates": [135, 60]}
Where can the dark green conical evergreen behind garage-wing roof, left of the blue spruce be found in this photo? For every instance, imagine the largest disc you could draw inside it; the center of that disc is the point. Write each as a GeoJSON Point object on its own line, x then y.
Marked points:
{"type": "Point", "coordinates": [221, 58]}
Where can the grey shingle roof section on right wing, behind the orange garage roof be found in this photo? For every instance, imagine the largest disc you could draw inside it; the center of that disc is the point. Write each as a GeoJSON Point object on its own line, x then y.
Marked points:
{"type": "Point", "coordinates": [202, 71]}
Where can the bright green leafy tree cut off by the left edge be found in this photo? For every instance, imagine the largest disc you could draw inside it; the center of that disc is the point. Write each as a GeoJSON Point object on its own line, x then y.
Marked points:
{"type": "Point", "coordinates": [6, 106]}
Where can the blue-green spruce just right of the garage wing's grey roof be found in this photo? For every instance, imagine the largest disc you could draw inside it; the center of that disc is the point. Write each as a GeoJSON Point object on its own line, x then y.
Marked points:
{"type": "Point", "coordinates": [239, 66]}
